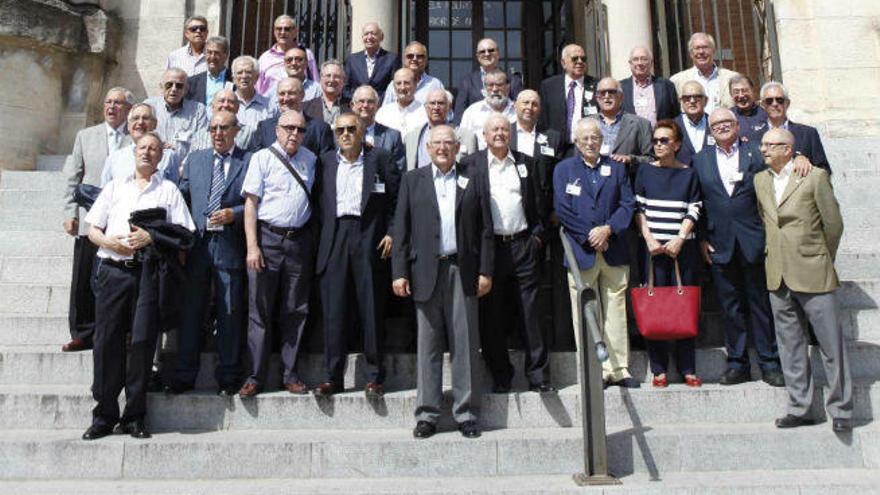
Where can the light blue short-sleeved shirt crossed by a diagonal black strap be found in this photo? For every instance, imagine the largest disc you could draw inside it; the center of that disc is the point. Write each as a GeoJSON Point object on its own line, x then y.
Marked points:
{"type": "Point", "coordinates": [283, 203]}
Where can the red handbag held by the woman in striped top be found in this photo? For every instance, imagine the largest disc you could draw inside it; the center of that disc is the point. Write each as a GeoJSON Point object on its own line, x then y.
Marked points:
{"type": "Point", "coordinates": [666, 313]}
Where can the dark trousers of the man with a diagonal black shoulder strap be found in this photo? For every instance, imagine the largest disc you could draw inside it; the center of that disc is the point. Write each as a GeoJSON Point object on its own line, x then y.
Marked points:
{"type": "Point", "coordinates": [278, 300]}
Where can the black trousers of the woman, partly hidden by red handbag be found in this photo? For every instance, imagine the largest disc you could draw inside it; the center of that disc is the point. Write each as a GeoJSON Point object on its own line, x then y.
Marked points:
{"type": "Point", "coordinates": [664, 276]}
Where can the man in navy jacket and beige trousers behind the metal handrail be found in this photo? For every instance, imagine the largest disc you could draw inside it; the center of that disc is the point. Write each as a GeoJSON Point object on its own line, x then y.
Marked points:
{"type": "Point", "coordinates": [594, 202]}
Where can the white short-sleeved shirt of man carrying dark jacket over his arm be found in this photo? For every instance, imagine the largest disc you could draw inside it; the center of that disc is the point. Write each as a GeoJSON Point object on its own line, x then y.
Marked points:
{"type": "Point", "coordinates": [121, 197]}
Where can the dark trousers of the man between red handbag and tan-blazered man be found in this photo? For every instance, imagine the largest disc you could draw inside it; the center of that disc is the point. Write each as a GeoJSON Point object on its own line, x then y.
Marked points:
{"type": "Point", "coordinates": [742, 294]}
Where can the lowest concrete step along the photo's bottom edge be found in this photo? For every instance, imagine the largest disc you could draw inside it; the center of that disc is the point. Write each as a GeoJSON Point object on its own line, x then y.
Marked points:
{"type": "Point", "coordinates": [748, 482]}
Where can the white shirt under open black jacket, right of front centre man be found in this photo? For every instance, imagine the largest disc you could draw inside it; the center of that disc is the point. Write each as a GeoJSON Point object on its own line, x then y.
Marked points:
{"type": "Point", "coordinates": [508, 215]}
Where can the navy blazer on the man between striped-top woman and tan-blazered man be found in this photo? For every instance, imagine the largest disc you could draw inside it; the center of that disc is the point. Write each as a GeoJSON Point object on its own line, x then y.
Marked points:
{"type": "Point", "coordinates": [728, 220]}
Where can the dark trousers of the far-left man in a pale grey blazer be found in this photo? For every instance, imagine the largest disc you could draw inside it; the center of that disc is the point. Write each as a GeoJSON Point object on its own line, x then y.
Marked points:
{"type": "Point", "coordinates": [81, 314]}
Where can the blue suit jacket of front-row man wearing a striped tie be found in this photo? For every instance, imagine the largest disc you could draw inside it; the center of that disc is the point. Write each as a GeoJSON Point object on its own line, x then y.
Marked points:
{"type": "Point", "coordinates": [195, 185]}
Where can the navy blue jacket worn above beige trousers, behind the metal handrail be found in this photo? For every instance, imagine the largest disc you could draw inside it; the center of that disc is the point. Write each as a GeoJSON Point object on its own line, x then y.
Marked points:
{"type": "Point", "coordinates": [612, 205]}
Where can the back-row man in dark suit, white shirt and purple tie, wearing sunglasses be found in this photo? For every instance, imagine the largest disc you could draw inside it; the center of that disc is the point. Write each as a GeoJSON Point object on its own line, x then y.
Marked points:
{"type": "Point", "coordinates": [568, 97]}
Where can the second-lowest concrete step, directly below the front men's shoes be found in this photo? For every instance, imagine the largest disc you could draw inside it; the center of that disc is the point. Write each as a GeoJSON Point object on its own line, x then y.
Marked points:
{"type": "Point", "coordinates": [59, 454]}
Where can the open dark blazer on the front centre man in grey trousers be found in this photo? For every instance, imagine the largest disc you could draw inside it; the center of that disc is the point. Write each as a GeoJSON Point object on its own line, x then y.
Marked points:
{"type": "Point", "coordinates": [417, 232]}
